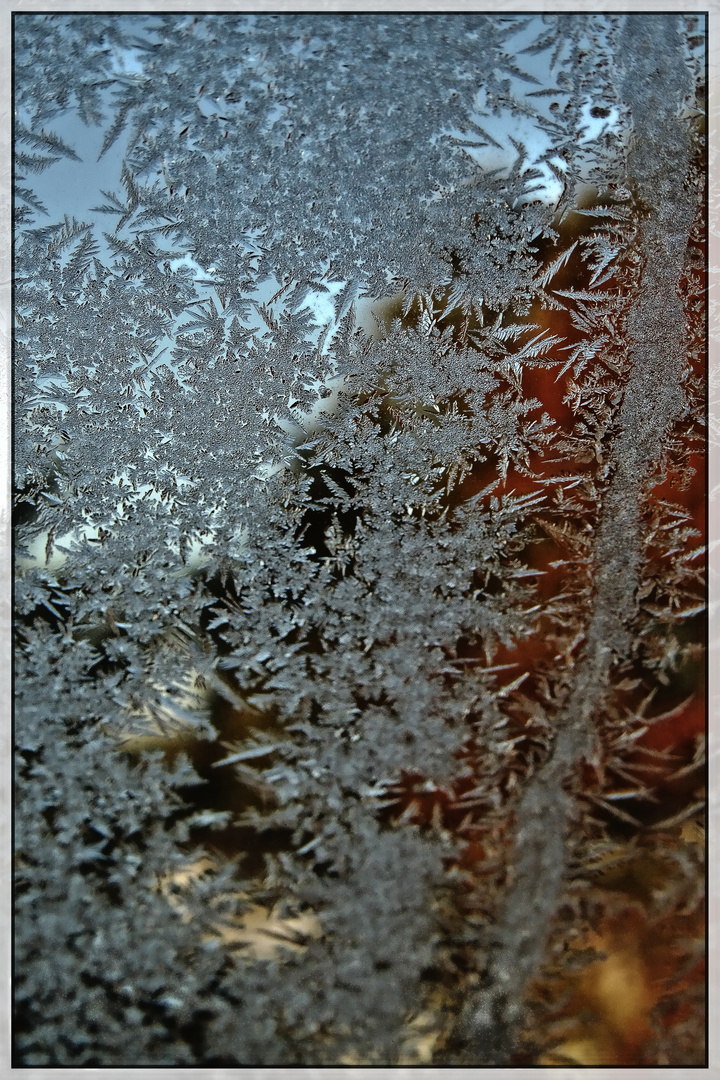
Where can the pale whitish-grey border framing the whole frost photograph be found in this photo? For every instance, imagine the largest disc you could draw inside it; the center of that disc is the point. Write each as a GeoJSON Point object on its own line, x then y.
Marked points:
{"type": "Point", "coordinates": [7, 9]}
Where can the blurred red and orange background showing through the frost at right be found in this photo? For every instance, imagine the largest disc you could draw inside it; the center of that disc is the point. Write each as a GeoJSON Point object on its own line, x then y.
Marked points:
{"type": "Point", "coordinates": [608, 1010]}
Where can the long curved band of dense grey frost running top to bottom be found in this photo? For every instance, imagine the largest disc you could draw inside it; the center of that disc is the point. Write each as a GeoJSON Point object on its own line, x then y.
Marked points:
{"type": "Point", "coordinates": [655, 86]}
